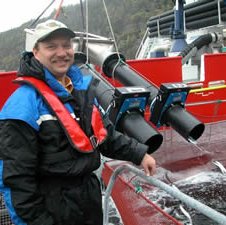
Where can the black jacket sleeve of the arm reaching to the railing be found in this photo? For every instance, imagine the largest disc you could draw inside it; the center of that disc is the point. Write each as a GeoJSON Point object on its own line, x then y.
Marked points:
{"type": "Point", "coordinates": [122, 147]}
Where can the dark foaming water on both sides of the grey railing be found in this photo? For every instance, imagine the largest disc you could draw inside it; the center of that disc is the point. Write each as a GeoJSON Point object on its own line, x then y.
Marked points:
{"type": "Point", "coordinates": [207, 187]}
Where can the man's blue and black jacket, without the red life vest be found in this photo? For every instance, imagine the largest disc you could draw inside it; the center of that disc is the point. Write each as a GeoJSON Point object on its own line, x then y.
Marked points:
{"type": "Point", "coordinates": [34, 147]}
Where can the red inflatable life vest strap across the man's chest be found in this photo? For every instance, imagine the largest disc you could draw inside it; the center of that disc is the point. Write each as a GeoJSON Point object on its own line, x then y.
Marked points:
{"type": "Point", "coordinates": [73, 131]}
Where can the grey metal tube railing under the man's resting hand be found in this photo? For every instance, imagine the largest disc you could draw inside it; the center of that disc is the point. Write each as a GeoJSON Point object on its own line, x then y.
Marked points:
{"type": "Point", "coordinates": [173, 191]}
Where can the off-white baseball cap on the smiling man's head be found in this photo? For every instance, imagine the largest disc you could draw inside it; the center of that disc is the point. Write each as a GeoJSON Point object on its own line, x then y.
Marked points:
{"type": "Point", "coordinates": [45, 30]}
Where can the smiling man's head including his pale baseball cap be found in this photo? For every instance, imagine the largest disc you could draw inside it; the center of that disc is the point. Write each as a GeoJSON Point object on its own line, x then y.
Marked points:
{"type": "Point", "coordinates": [54, 50]}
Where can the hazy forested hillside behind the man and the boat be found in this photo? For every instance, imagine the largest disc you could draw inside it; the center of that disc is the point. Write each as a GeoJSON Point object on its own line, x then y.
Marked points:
{"type": "Point", "coordinates": [128, 19]}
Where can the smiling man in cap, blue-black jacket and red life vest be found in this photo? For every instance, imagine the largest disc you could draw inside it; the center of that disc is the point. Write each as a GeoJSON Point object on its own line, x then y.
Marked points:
{"type": "Point", "coordinates": [48, 158]}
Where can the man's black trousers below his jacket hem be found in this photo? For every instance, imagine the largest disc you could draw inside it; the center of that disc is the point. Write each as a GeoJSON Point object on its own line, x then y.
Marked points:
{"type": "Point", "coordinates": [85, 208]}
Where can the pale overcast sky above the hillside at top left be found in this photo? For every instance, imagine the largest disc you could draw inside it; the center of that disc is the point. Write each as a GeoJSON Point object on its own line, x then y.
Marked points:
{"type": "Point", "coordinates": [16, 12]}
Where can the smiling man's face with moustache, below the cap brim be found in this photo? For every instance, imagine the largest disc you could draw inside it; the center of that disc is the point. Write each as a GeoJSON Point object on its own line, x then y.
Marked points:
{"type": "Point", "coordinates": [56, 54]}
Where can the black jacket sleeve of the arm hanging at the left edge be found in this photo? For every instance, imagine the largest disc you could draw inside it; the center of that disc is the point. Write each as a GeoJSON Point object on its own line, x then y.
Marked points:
{"type": "Point", "coordinates": [19, 152]}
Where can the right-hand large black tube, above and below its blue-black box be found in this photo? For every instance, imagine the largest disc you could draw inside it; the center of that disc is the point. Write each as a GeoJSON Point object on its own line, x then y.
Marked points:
{"type": "Point", "coordinates": [181, 122]}
